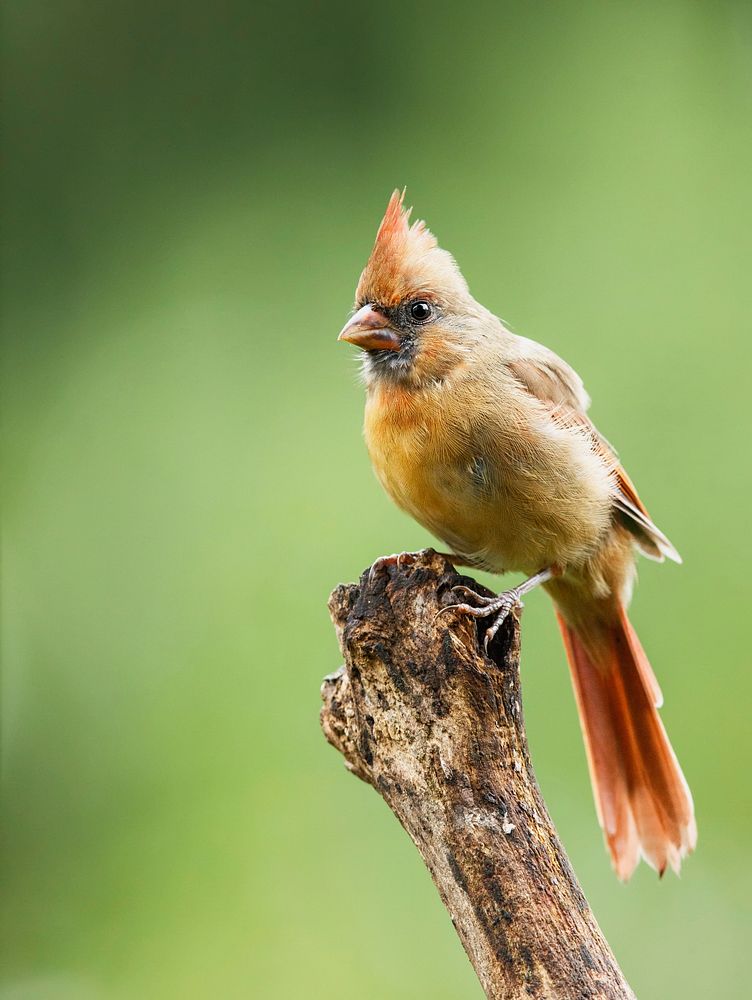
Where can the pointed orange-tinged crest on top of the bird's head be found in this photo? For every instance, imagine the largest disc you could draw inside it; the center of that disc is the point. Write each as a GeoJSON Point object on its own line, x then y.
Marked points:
{"type": "Point", "coordinates": [406, 259]}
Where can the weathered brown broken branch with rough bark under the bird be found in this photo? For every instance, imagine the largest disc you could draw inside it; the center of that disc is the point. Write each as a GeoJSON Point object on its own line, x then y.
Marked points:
{"type": "Point", "coordinates": [419, 712]}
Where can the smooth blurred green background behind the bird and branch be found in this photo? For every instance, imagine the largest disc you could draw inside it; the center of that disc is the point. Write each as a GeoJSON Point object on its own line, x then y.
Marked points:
{"type": "Point", "coordinates": [190, 193]}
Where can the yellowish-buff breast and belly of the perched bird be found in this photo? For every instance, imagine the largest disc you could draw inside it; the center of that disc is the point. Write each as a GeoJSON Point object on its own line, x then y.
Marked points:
{"type": "Point", "coordinates": [502, 493]}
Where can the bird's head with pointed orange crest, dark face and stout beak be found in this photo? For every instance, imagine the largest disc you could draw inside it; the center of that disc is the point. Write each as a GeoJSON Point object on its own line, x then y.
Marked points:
{"type": "Point", "coordinates": [412, 305]}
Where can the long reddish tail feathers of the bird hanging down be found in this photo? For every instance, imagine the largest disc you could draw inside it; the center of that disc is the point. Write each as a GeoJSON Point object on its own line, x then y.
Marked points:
{"type": "Point", "coordinates": [644, 804]}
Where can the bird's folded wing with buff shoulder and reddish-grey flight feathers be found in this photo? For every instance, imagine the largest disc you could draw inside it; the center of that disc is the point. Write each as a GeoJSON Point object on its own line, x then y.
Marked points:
{"type": "Point", "coordinates": [555, 384]}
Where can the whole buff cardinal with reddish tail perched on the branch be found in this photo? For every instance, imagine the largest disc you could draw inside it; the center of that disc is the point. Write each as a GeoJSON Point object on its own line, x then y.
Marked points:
{"type": "Point", "coordinates": [482, 436]}
